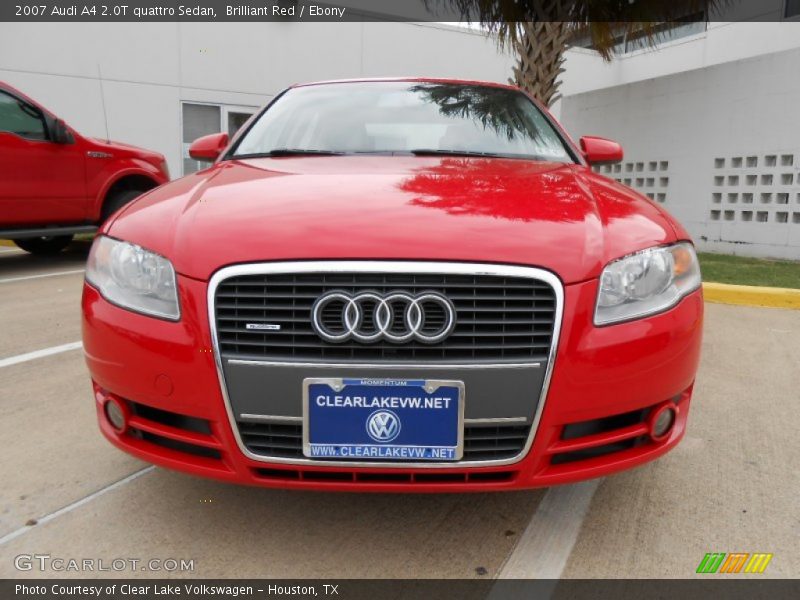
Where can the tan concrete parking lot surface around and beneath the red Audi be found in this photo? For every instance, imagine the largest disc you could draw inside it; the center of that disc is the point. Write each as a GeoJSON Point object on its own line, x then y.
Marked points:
{"type": "Point", "coordinates": [730, 486]}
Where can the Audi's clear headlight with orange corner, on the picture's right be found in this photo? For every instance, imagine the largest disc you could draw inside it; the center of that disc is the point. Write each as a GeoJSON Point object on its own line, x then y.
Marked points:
{"type": "Point", "coordinates": [645, 283]}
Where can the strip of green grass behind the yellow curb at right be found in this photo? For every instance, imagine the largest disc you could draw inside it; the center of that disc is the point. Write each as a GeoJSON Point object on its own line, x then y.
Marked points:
{"type": "Point", "coordinates": [742, 270]}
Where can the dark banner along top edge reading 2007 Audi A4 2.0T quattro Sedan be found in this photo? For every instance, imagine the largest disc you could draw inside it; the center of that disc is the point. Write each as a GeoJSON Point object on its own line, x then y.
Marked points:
{"type": "Point", "coordinates": [580, 11]}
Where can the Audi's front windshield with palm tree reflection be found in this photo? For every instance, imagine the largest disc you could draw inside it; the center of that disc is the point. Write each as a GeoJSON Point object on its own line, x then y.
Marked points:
{"type": "Point", "coordinates": [406, 118]}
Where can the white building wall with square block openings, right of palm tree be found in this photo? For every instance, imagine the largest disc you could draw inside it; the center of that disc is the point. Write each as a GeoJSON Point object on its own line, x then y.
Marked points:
{"type": "Point", "coordinates": [719, 145]}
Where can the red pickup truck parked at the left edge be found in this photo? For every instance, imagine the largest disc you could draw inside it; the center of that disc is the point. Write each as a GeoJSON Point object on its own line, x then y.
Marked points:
{"type": "Point", "coordinates": [56, 183]}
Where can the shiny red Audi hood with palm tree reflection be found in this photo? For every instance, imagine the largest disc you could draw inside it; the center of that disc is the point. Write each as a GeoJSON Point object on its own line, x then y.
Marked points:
{"type": "Point", "coordinates": [559, 217]}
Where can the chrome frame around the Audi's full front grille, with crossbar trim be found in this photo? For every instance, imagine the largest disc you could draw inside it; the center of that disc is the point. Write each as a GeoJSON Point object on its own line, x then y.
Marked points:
{"type": "Point", "coordinates": [381, 267]}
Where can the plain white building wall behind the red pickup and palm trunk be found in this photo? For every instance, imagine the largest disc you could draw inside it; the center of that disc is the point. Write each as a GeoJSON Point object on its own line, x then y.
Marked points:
{"type": "Point", "coordinates": [149, 69]}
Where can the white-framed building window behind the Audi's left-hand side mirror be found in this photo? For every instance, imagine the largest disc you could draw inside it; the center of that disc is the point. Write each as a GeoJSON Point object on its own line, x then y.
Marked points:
{"type": "Point", "coordinates": [205, 119]}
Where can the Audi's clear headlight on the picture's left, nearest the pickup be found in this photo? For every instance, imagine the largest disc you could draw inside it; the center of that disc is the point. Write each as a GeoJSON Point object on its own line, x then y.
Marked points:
{"type": "Point", "coordinates": [133, 278]}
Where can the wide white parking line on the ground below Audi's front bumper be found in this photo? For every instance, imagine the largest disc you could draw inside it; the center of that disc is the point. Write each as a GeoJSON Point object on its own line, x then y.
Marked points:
{"type": "Point", "coordinates": [546, 544]}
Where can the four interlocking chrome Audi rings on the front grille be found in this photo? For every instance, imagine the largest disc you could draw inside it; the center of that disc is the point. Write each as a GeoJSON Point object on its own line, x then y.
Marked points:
{"type": "Point", "coordinates": [396, 317]}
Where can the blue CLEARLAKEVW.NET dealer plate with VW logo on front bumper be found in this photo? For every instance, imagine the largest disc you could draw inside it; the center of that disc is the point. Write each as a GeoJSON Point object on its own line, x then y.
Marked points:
{"type": "Point", "coordinates": [383, 419]}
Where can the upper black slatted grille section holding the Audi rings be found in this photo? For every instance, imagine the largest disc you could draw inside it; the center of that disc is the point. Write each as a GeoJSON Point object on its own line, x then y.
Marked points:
{"type": "Point", "coordinates": [355, 317]}
